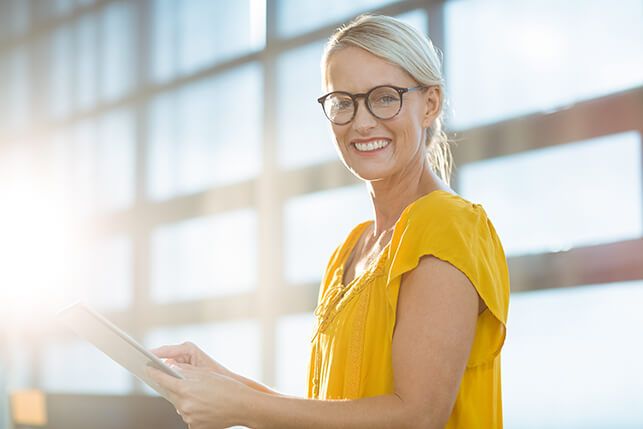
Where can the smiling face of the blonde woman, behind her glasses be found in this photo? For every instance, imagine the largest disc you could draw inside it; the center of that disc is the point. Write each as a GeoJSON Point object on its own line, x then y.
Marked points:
{"type": "Point", "coordinates": [355, 70]}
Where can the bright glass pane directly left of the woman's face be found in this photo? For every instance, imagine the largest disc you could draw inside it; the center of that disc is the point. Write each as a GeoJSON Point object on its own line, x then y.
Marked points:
{"type": "Point", "coordinates": [303, 132]}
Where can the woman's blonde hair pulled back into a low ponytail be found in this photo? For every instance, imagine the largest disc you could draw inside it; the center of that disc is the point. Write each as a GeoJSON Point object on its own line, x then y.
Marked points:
{"type": "Point", "coordinates": [402, 45]}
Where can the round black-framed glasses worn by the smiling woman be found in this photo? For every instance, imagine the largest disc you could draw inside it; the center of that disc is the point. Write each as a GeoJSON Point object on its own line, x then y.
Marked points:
{"type": "Point", "coordinates": [384, 102]}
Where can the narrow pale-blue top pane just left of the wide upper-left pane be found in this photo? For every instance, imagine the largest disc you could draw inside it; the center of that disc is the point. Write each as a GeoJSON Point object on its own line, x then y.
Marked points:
{"type": "Point", "coordinates": [118, 54]}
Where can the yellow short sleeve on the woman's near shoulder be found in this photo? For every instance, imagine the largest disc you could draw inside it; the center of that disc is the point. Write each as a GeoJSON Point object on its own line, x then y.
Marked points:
{"type": "Point", "coordinates": [456, 231]}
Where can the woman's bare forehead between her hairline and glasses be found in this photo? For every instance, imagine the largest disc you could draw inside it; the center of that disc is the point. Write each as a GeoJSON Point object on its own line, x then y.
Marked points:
{"type": "Point", "coordinates": [353, 69]}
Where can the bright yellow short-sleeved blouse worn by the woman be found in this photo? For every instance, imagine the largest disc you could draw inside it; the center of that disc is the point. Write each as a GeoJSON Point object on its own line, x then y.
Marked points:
{"type": "Point", "coordinates": [351, 347]}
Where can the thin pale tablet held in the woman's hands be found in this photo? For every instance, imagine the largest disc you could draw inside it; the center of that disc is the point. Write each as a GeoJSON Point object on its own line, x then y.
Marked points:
{"type": "Point", "coordinates": [115, 343]}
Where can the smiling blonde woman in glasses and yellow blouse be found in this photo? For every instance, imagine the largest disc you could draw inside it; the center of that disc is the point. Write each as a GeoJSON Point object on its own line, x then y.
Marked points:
{"type": "Point", "coordinates": [413, 305]}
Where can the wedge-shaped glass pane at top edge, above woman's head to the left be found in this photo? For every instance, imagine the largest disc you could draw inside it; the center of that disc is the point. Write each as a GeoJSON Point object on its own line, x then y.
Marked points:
{"type": "Point", "coordinates": [297, 16]}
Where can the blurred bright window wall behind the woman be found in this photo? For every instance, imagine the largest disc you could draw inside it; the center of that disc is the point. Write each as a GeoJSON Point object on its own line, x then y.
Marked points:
{"type": "Point", "coordinates": [167, 162]}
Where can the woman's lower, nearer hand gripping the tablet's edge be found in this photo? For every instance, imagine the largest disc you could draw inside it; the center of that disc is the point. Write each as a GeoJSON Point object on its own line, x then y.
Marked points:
{"type": "Point", "coordinates": [204, 399]}
